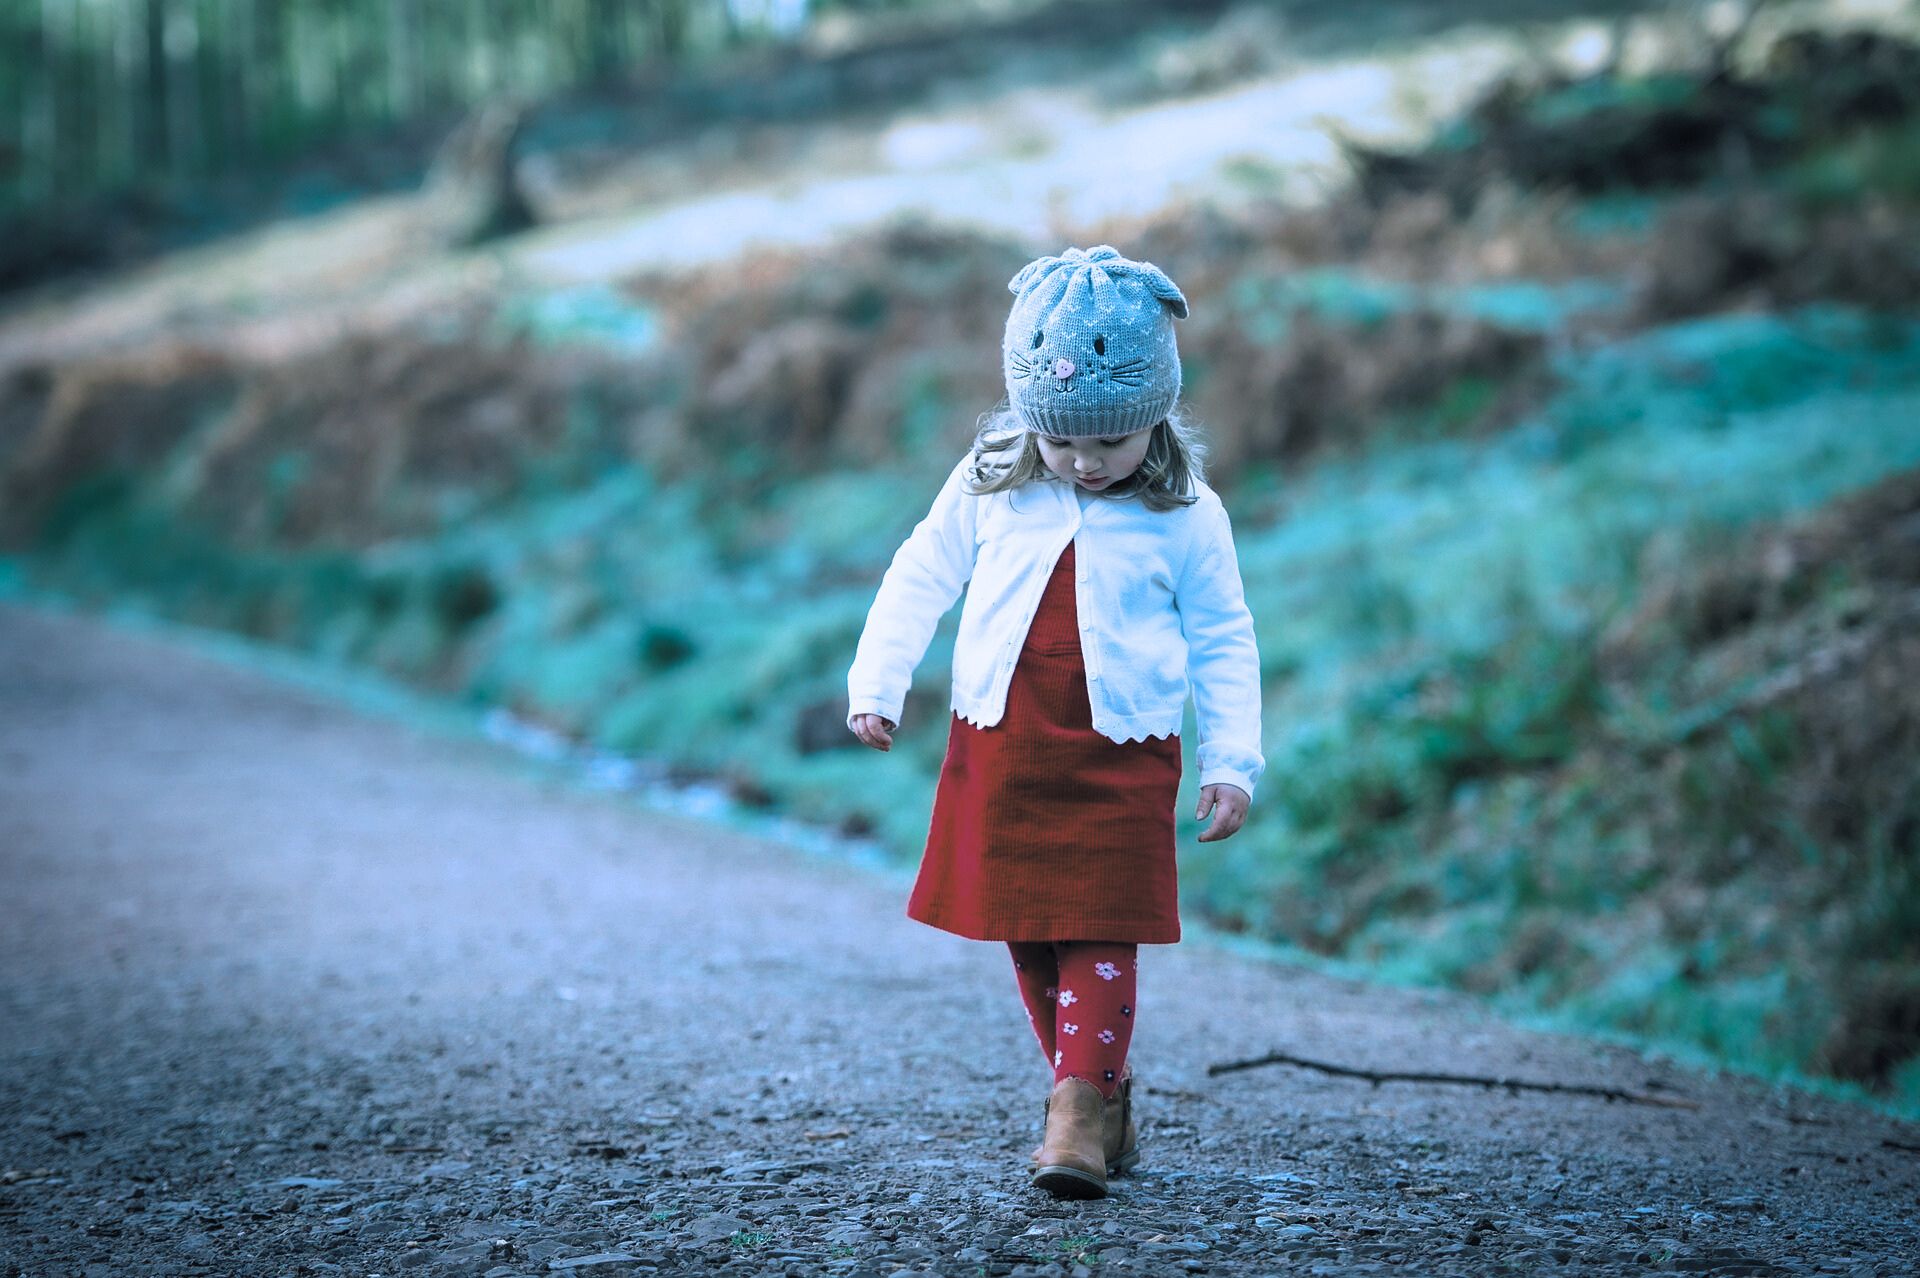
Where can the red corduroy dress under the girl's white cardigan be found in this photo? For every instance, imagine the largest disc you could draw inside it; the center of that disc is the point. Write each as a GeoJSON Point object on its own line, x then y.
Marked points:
{"type": "Point", "coordinates": [1044, 830]}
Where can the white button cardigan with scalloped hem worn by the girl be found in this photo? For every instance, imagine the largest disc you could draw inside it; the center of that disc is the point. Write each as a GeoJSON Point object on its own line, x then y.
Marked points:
{"type": "Point", "coordinates": [1159, 600]}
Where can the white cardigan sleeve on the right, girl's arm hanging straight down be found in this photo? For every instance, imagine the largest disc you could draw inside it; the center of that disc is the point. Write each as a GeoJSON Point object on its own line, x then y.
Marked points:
{"type": "Point", "coordinates": [1222, 659]}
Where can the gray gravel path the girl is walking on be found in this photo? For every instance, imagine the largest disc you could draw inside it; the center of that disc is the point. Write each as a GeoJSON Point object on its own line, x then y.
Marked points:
{"type": "Point", "coordinates": [289, 991]}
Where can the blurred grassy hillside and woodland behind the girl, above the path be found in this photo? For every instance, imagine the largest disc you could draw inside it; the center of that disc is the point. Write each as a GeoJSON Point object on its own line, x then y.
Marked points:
{"type": "Point", "coordinates": [587, 362]}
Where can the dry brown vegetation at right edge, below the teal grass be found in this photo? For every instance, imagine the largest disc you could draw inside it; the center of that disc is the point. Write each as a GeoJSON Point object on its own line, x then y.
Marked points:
{"type": "Point", "coordinates": [1802, 648]}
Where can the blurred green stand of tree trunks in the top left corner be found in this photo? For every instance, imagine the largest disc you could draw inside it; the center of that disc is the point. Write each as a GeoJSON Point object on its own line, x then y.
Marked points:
{"type": "Point", "coordinates": [128, 93]}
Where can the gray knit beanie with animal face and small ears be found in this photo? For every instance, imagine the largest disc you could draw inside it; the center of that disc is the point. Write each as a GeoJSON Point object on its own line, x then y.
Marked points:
{"type": "Point", "coordinates": [1090, 344]}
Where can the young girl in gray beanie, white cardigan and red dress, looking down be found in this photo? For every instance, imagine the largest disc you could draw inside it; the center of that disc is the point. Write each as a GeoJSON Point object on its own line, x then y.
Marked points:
{"type": "Point", "coordinates": [1101, 588]}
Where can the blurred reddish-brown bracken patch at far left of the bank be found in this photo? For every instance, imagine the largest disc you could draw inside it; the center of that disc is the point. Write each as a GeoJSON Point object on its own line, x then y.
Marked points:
{"type": "Point", "coordinates": [362, 442]}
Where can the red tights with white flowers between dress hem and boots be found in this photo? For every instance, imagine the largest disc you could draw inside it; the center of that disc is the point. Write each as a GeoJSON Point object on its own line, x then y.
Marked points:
{"type": "Point", "coordinates": [1080, 1001]}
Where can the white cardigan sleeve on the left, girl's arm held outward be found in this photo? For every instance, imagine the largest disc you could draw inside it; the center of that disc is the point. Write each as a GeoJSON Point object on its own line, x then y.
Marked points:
{"type": "Point", "coordinates": [923, 582]}
